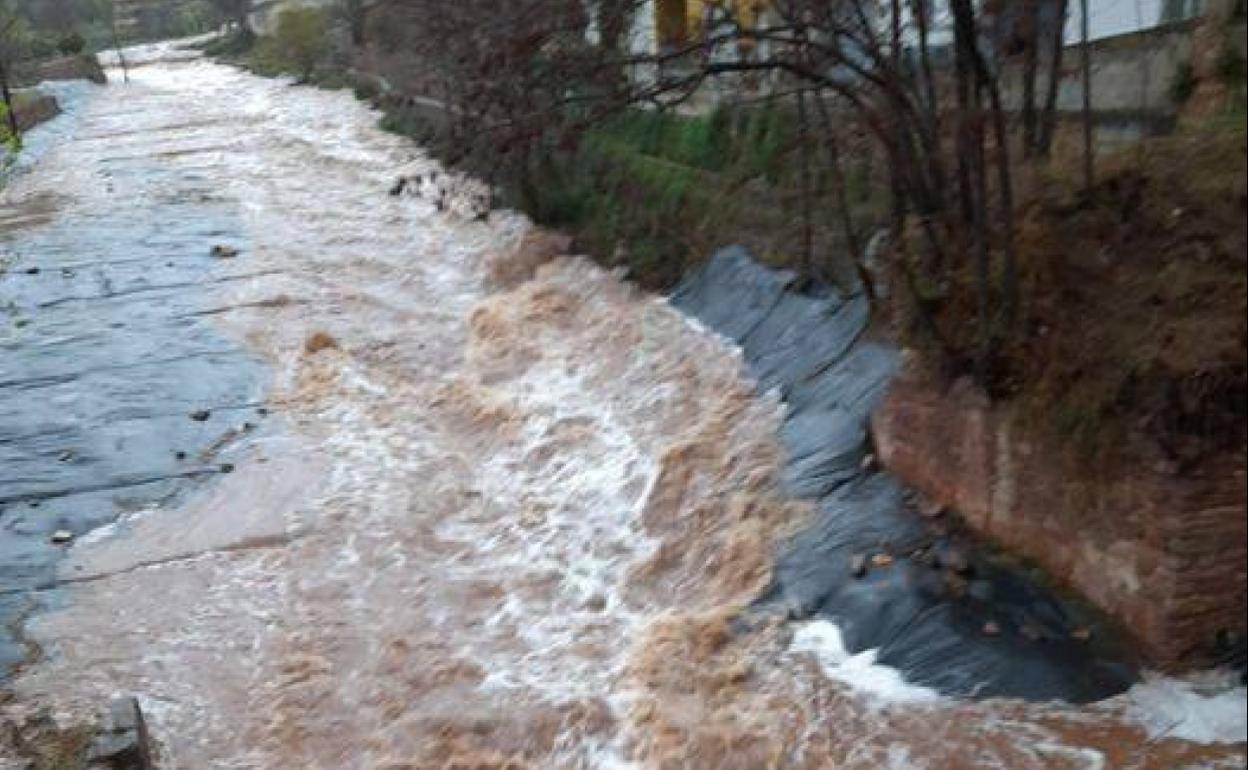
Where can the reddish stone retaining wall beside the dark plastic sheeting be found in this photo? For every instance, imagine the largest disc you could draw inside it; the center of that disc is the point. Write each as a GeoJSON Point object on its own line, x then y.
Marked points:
{"type": "Point", "coordinates": [1164, 555]}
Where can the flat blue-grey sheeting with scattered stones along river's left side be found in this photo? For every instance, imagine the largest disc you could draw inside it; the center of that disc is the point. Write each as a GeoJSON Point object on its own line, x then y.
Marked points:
{"type": "Point", "coordinates": [107, 349]}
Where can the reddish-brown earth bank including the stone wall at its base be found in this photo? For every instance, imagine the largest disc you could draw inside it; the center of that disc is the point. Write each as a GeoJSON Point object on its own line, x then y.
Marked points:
{"type": "Point", "coordinates": [1118, 460]}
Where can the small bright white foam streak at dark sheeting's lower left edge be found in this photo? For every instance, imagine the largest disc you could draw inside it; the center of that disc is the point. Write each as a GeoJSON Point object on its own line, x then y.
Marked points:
{"type": "Point", "coordinates": [823, 640]}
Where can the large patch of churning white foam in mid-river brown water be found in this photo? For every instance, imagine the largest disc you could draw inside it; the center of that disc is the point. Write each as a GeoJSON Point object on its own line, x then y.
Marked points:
{"type": "Point", "coordinates": [588, 534]}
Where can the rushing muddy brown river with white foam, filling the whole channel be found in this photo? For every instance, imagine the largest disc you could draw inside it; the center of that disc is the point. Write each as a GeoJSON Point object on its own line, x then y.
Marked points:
{"type": "Point", "coordinates": [482, 527]}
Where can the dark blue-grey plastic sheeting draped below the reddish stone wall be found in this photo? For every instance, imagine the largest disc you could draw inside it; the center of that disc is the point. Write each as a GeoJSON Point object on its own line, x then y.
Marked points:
{"type": "Point", "coordinates": [1008, 636]}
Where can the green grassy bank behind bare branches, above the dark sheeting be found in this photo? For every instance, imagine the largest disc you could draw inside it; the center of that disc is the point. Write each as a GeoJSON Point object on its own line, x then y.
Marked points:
{"type": "Point", "coordinates": [657, 192]}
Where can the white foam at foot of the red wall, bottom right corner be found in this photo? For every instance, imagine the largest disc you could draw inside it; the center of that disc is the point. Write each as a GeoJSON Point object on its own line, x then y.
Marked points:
{"type": "Point", "coordinates": [1209, 708]}
